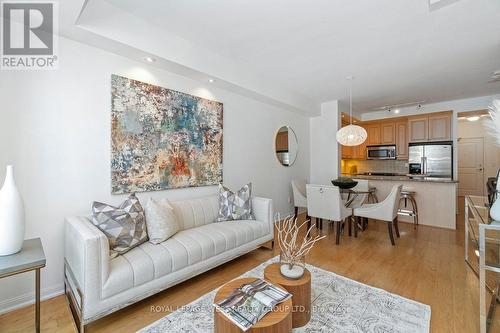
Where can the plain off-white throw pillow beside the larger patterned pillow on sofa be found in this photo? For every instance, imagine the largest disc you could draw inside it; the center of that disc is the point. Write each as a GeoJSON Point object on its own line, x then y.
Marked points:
{"type": "Point", "coordinates": [160, 220]}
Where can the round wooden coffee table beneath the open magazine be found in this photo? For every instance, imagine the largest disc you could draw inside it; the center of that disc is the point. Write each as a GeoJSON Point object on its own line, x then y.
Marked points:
{"type": "Point", "coordinates": [277, 321]}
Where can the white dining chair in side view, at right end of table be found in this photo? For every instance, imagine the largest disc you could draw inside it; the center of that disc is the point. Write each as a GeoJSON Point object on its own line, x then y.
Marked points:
{"type": "Point", "coordinates": [387, 211]}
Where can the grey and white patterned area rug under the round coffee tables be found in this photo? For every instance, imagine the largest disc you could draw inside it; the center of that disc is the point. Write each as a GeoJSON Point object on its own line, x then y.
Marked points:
{"type": "Point", "coordinates": [339, 304]}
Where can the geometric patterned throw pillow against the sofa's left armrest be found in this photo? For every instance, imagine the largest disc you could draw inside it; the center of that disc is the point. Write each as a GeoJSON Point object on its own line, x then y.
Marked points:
{"type": "Point", "coordinates": [125, 226]}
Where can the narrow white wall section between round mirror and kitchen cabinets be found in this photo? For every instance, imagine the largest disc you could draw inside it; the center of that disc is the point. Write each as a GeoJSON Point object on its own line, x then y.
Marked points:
{"type": "Point", "coordinates": [324, 149]}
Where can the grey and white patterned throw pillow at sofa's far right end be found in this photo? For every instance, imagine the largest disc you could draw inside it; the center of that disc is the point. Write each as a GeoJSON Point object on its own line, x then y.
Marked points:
{"type": "Point", "coordinates": [235, 205]}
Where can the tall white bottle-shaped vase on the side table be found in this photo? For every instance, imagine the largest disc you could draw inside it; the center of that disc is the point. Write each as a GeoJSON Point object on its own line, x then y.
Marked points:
{"type": "Point", "coordinates": [11, 216]}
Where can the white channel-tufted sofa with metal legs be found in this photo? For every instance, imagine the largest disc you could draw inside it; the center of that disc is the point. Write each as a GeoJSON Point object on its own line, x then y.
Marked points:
{"type": "Point", "coordinates": [97, 286]}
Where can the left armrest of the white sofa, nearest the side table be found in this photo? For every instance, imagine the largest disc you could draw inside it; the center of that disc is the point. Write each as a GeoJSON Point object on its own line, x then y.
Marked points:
{"type": "Point", "coordinates": [86, 252]}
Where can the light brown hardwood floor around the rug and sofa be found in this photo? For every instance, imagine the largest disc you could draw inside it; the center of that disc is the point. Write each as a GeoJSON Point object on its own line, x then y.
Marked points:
{"type": "Point", "coordinates": [426, 265]}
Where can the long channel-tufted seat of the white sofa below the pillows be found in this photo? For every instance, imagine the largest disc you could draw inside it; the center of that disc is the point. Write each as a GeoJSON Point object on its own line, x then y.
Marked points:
{"type": "Point", "coordinates": [188, 247]}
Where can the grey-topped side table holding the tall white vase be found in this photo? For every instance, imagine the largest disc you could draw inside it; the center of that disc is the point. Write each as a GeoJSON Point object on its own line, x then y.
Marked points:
{"type": "Point", "coordinates": [30, 258]}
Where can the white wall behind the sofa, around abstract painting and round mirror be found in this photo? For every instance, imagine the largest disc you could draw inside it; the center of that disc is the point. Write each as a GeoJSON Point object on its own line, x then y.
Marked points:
{"type": "Point", "coordinates": [55, 130]}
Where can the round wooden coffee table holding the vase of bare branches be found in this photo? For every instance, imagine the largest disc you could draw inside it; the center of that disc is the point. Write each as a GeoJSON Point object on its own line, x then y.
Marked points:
{"type": "Point", "coordinates": [300, 289]}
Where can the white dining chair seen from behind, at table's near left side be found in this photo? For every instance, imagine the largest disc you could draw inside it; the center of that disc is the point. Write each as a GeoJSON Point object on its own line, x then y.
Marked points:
{"type": "Point", "coordinates": [325, 202]}
